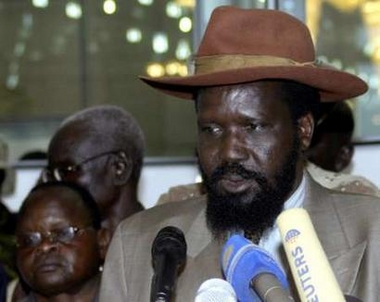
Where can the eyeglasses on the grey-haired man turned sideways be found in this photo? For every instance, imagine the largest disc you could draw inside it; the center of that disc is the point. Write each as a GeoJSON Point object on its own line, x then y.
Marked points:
{"type": "Point", "coordinates": [65, 172]}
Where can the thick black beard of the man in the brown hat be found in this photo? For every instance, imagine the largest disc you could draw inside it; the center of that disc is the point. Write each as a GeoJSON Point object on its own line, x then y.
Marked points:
{"type": "Point", "coordinates": [250, 212]}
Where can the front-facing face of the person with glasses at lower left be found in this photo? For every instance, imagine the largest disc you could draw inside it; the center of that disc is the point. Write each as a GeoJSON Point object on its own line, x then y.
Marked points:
{"type": "Point", "coordinates": [51, 266]}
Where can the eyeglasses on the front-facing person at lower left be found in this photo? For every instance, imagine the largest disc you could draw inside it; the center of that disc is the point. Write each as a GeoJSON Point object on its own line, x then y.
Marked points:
{"type": "Point", "coordinates": [64, 235]}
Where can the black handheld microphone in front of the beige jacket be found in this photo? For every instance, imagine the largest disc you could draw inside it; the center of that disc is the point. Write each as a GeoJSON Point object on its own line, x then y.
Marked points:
{"type": "Point", "coordinates": [168, 257]}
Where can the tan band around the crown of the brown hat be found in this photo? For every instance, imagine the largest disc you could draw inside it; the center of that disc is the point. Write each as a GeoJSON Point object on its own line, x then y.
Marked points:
{"type": "Point", "coordinates": [217, 63]}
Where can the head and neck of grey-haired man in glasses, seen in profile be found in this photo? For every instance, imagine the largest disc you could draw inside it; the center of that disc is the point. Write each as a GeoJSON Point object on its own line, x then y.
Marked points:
{"type": "Point", "coordinates": [102, 149]}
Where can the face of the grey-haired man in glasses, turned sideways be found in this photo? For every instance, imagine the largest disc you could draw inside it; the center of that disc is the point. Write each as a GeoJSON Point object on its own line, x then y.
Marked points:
{"type": "Point", "coordinates": [71, 146]}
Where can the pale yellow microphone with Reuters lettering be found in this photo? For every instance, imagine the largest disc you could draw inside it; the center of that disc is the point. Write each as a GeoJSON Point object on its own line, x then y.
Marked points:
{"type": "Point", "coordinates": [309, 265]}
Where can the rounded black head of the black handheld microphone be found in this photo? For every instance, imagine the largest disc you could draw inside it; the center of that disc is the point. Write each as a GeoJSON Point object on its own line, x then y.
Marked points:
{"type": "Point", "coordinates": [170, 240]}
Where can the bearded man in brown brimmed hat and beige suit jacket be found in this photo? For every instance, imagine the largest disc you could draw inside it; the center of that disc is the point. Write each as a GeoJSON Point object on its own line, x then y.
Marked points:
{"type": "Point", "coordinates": [256, 88]}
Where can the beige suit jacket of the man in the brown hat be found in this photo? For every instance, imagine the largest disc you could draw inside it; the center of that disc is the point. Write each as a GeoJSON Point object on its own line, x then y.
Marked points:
{"type": "Point", "coordinates": [348, 227]}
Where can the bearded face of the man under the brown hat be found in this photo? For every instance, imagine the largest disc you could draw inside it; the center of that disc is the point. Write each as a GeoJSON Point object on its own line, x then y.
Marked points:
{"type": "Point", "coordinates": [248, 153]}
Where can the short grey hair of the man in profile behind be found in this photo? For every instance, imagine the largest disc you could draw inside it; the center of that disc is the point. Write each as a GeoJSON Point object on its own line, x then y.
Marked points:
{"type": "Point", "coordinates": [113, 126]}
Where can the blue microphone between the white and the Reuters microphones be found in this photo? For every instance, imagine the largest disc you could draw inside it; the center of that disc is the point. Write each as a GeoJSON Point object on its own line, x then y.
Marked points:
{"type": "Point", "coordinates": [253, 272]}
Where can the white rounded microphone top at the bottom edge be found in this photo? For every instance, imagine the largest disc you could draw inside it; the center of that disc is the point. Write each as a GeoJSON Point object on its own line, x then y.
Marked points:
{"type": "Point", "coordinates": [215, 290]}
